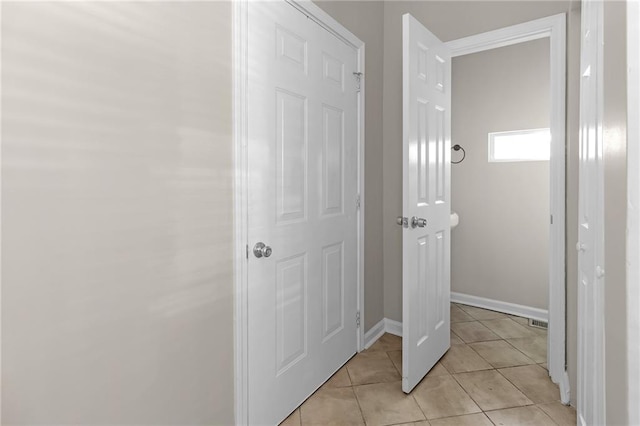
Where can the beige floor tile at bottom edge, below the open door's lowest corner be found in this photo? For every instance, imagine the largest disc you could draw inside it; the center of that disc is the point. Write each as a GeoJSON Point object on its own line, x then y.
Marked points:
{"type": "Point", "coordinates": [386, 404]}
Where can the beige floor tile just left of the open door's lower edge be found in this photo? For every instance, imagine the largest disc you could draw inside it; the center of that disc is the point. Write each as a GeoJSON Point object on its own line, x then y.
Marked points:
{"type": "Point", "coordinates": [372, 367]}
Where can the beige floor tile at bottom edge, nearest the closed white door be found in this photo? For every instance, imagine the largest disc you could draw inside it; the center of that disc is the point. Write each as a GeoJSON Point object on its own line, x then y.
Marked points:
{"type": "Point", "coordinates": [331, 406]}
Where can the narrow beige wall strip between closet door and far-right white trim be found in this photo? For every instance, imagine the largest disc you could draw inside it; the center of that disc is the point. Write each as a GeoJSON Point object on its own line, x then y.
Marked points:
{"type": "Point", "coordinates": [615, 201]}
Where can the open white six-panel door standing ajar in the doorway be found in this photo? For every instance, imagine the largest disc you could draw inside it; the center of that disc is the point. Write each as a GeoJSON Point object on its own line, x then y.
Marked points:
{"type": "Point", "coordinates": [426, 171]}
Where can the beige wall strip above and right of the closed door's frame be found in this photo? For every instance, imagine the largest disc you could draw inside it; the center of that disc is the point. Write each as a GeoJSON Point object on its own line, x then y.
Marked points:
{"type": "Point", "coordinates": [364, 19]}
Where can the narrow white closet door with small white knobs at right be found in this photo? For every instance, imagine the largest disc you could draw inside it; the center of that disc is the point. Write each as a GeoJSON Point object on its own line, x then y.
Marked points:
{"type": "Point", "coordinates": [590, 246]}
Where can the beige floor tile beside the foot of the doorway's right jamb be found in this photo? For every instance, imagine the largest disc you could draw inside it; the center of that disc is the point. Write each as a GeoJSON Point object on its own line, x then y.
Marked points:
{"type": "Point", "coordinates": [533, 381]}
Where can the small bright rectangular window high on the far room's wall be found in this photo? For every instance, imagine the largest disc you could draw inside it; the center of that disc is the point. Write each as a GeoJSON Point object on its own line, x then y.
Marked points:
{"type": "Point", "coordinates": [520, 145]}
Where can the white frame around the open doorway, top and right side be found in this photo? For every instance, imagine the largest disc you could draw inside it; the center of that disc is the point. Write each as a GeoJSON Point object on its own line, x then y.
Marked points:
{"type": "Point", "coordinates": [553, 27]}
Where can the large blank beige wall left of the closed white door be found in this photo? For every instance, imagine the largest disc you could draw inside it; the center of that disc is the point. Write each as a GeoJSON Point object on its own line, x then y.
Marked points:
{"type": "Point", "coordinates": [117, 213]}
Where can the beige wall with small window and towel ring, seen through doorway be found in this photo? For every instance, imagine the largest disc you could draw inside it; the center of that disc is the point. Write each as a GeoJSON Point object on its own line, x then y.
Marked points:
{"type": "Point", "coordinates": [500, 249]}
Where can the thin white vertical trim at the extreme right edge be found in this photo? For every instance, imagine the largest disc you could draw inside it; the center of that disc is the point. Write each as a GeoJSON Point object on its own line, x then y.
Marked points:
{"type": "Point", "coordinates": [633, 209]}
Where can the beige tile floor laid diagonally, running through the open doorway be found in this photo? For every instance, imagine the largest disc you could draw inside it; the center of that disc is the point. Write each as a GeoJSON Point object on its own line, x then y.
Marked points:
{"type": "Point", "coordinates": [494, 374]}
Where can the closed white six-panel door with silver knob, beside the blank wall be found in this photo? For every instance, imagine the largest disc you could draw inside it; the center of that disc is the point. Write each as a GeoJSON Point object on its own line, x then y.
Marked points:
{"type": "Point", "coordinates": [302, 185]}
